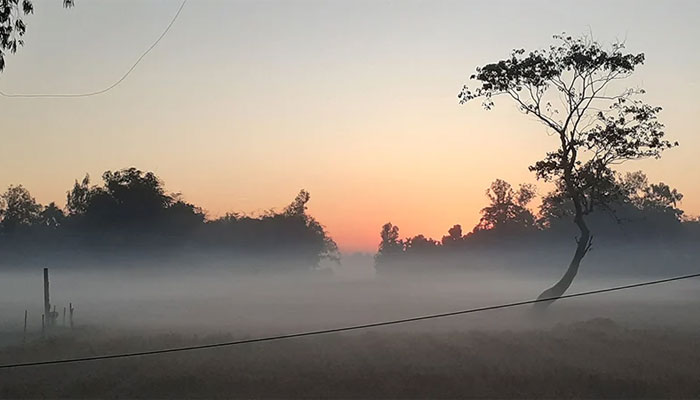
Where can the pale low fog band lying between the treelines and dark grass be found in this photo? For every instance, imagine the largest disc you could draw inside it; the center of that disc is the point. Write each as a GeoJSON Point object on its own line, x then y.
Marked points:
{"type": "Point", "coordinates": [154, 298]}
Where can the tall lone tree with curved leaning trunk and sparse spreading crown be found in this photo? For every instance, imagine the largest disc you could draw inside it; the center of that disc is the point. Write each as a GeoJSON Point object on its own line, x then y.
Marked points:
{"type": "Point", "coordinates": [567, 88]}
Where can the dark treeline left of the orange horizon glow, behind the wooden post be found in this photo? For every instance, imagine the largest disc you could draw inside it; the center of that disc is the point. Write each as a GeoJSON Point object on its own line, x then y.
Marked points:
{"type": "Point", "coordinates": [130, 217]}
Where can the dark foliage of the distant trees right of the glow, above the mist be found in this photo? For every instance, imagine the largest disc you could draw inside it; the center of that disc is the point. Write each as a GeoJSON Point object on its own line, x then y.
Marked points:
{"type": "Point", "coordinates": [641, 211]}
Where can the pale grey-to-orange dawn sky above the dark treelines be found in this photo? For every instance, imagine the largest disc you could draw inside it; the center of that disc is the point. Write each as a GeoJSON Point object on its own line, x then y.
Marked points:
{"type": "Point", "coordinates": [244, 103]}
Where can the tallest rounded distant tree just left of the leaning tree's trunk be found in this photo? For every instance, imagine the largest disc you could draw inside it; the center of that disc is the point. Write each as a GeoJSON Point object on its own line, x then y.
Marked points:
{"type": "Point", "coordinates": [508, 208]}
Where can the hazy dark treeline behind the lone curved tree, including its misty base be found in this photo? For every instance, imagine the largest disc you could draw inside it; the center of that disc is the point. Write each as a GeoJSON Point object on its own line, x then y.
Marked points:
{"type": "Point", "coordinates": [641, 228]}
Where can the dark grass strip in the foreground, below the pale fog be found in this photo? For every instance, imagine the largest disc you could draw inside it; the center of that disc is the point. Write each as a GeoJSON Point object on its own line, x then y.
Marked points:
{"type": "Point", "coordinates": [593, 359]}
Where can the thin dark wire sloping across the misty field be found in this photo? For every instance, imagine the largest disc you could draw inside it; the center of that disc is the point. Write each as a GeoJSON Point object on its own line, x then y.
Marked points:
{"type": "Point", "coordinates": [346, 328]}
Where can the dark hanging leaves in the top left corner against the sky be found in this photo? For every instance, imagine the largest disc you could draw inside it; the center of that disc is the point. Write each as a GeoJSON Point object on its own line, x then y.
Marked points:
{"type": "Point", "coordinates": [12, 25]}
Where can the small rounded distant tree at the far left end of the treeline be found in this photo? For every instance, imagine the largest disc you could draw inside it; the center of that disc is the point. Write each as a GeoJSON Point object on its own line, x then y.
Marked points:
{"type": "Point", "coordinates": [19, 209]}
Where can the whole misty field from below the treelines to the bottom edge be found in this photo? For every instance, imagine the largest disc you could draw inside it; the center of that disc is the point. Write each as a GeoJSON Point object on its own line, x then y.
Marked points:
{"type": "Point", "coordinates": [636, 344]}
